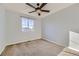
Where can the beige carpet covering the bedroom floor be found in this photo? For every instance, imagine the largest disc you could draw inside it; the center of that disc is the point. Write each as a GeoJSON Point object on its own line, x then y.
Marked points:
{"type": "Point", "coordinates": [38, 47]}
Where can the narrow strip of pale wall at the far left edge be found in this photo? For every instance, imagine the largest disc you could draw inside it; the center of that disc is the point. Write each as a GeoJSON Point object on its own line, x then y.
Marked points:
{"type": "Point", "coordinates": [2, 29]}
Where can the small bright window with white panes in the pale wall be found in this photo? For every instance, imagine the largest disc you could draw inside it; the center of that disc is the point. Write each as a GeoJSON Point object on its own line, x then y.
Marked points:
{"type": "Point", "coordinates": [27, 24]}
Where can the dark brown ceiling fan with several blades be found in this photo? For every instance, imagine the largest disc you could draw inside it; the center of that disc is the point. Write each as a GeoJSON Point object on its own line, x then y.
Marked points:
{"type": "Point", "coordinates": [39, 7]}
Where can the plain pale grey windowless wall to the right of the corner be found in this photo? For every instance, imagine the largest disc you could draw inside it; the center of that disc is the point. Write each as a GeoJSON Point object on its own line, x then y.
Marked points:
{"type": "Point", "coordinates": [56, 27]}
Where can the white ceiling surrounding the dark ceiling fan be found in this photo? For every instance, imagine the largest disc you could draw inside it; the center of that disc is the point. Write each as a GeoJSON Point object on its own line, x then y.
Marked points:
{"type": "Point", "coordinates": [22, 8]}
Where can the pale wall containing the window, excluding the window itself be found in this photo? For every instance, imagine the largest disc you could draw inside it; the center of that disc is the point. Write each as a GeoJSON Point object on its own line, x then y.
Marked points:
{"type": "Point", "coordinates": [14, 33]}
